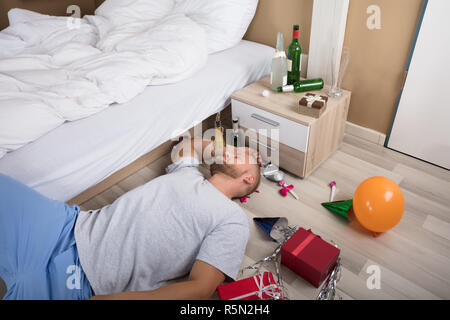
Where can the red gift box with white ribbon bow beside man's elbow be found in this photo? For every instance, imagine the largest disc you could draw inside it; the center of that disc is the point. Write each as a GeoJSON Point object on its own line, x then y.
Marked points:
{"type": "Point", "coordinates": [259, 287]}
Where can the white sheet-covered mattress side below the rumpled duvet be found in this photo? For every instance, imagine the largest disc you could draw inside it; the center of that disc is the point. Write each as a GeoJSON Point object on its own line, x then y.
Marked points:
{"type": "Point", "coordinates": [79, 154]}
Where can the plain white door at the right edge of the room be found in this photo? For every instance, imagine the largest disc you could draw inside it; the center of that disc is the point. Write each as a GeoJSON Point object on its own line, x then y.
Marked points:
{"type": "Point", "coordinates": [422, 123]}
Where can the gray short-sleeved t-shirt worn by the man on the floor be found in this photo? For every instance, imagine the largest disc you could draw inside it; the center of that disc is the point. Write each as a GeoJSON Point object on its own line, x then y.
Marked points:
{"type": "Point", "coordinates": [155, 233]}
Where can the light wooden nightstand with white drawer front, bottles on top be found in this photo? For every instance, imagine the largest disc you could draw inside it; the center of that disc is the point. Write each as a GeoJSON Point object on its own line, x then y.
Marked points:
{"type": "Point", "coordinates": [302, 142]}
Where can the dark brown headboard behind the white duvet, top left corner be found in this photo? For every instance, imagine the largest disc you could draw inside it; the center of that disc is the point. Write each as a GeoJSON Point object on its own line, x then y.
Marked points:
{"type": "Point", "coordinates": [53, 7]}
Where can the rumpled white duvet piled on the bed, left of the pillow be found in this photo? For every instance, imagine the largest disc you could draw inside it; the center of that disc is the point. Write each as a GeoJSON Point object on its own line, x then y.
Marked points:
{"type": "Point", "coordinates": [57, 69]}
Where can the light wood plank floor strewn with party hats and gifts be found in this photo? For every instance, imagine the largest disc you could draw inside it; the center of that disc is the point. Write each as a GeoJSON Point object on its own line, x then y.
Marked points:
{"type": "Point", "coordinates": [413, 258]}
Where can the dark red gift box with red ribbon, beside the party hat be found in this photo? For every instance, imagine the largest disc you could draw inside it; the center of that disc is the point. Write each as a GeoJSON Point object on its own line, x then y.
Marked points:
{"type": "Point", "coordinates": [309, 256]}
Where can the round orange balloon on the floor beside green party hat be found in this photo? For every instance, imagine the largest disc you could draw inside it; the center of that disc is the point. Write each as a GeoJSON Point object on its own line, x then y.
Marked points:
{"type": "Point", "coordinates": [378, 204]}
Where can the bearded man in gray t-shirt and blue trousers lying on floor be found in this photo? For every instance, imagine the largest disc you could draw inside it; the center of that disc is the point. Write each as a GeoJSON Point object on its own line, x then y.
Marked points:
{"type": "Point", "coordinates": [177, 224]}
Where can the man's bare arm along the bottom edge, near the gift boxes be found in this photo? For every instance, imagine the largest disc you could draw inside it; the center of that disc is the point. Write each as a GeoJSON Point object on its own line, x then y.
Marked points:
{"type": "Point", "coordinates": [203, 281]}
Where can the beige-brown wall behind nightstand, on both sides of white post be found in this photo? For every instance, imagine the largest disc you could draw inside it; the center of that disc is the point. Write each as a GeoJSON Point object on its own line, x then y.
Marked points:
{"type": "Point", "coordinates": [378, 58]}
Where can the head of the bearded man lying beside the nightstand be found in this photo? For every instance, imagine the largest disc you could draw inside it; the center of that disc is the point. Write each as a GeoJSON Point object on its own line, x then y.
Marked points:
{"type": "Point", "coordinates": [240, 171]}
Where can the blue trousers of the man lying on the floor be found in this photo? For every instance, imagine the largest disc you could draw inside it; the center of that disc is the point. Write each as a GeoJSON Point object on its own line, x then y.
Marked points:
{"type": "Point", "coordinates": [38, 254]}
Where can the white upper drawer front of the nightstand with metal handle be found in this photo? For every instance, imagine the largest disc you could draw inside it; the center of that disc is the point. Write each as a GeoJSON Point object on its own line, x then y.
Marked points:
{"type": "Point", "coordinates": [292, 134]}
